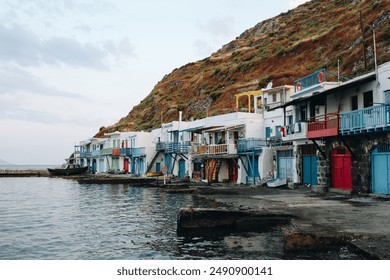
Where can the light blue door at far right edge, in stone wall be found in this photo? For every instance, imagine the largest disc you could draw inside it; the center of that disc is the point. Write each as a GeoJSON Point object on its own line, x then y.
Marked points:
{"type": "Point", "coordinates": [381, 170]}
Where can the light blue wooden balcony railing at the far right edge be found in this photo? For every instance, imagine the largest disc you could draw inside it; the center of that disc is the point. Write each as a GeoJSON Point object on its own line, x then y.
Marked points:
{"type": "Point", "coordinates": [370, 119]}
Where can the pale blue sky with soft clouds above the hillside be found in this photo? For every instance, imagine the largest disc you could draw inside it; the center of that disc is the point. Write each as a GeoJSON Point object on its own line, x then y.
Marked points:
{"type": "Point", "coordinates": [69, 67]}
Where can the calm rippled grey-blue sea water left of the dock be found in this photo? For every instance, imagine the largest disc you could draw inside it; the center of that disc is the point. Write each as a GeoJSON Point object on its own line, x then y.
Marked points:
{"type": "Point", "coordinates": [49, 218]}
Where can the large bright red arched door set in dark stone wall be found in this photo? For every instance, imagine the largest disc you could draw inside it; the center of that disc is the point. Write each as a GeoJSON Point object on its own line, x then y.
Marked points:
{"type": "Point", "coordinates": [341, 169]}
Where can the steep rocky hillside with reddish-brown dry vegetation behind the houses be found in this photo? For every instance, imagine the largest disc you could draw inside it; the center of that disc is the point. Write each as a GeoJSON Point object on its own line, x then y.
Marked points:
{"type": "Point", "coordinates": [289, 46]}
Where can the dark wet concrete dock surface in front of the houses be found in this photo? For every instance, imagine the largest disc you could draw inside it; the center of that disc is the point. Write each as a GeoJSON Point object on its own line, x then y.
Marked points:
{"type": "Point", "coordinates": [320, 219]}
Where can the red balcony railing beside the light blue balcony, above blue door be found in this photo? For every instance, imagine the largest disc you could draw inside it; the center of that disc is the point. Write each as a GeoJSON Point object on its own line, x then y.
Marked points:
{"type": "Point", "coordinates": [323, 126]}
